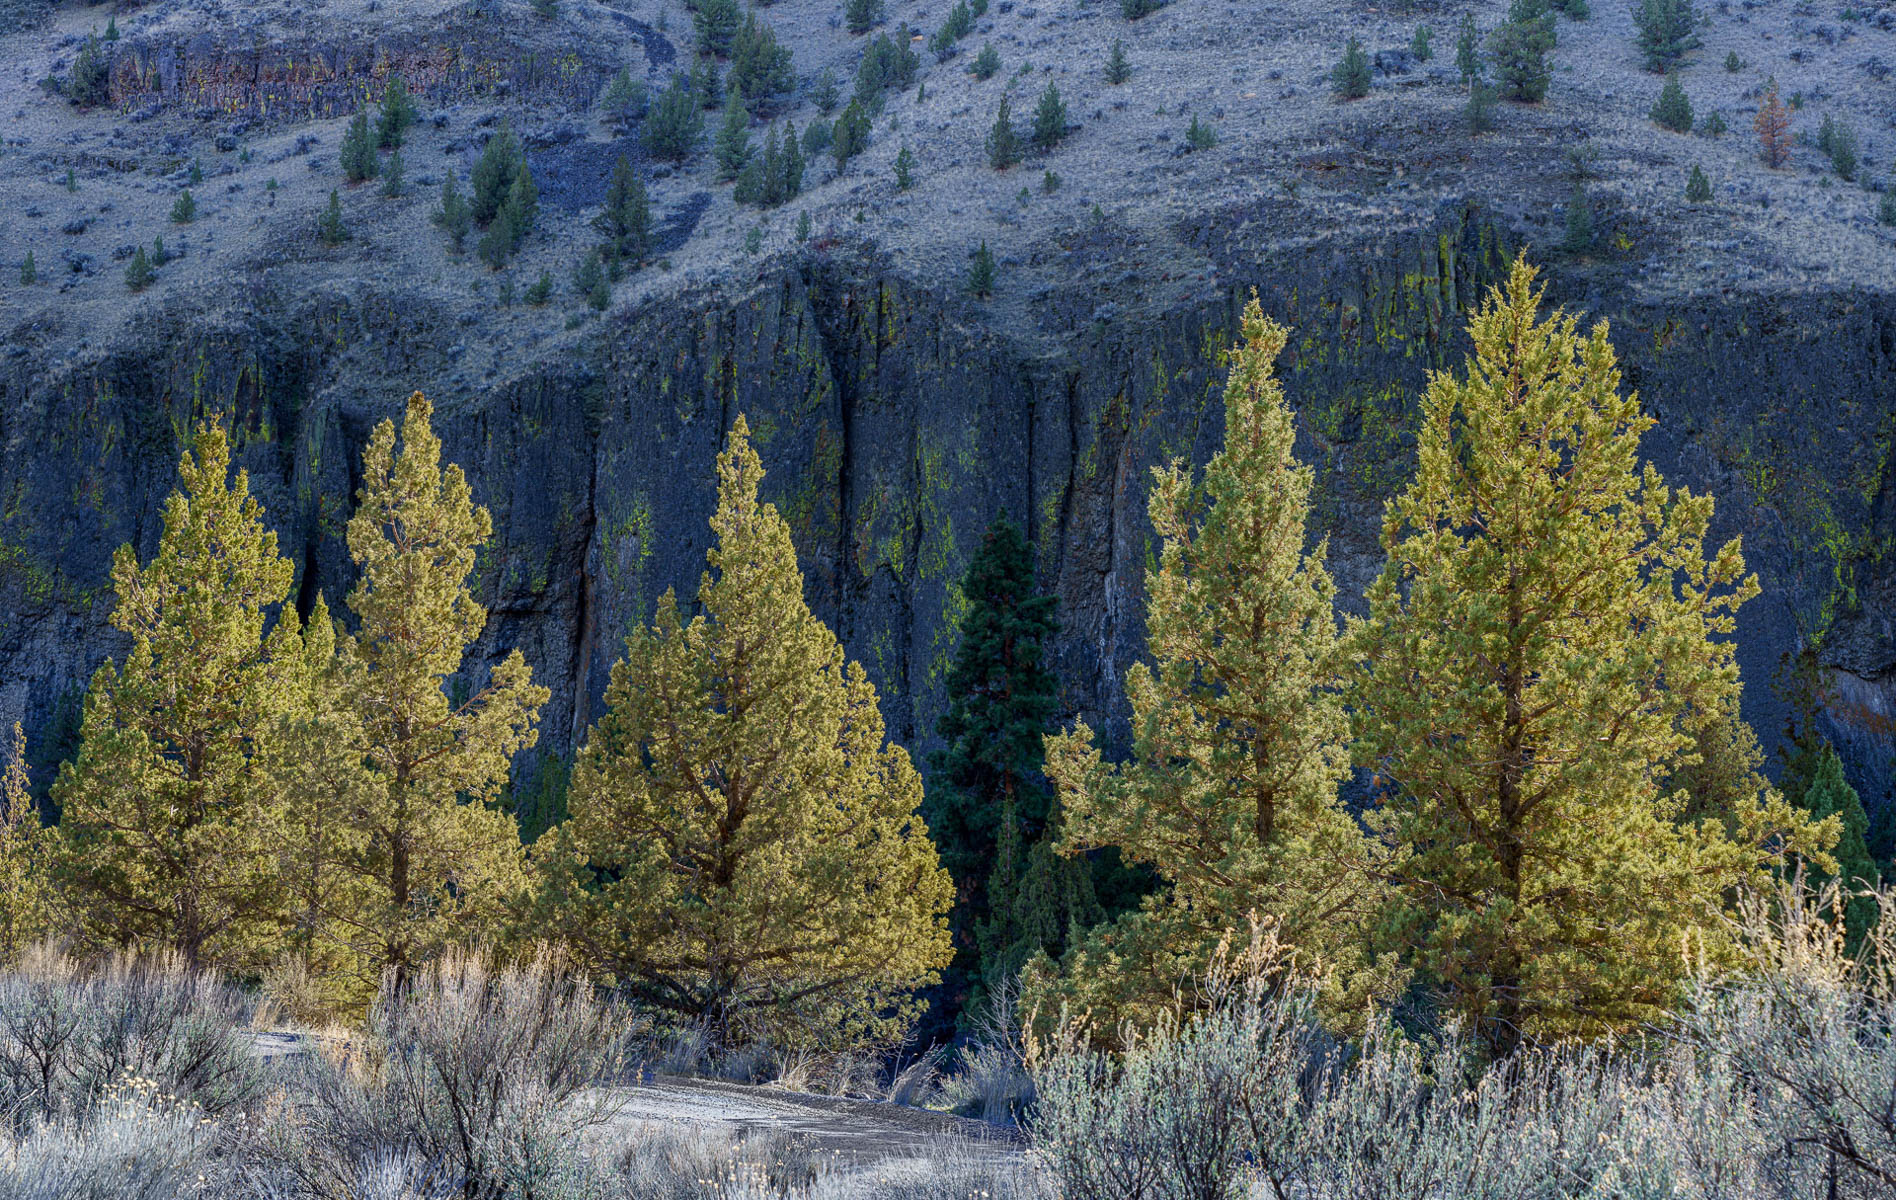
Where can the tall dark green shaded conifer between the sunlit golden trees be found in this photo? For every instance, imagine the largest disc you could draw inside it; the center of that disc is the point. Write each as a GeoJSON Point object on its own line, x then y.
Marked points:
{"type": "Point", "coordinates": [991, 807]}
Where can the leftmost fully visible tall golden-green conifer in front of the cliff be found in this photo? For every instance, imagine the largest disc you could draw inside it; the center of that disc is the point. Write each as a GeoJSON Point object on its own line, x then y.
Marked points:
{"type": "Point", "coordinates": [168, 818]}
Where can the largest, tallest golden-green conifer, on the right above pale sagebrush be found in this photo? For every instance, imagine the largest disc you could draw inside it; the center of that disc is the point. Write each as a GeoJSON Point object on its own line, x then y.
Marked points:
{"type": "Point", "coordinates": [1539, 644]}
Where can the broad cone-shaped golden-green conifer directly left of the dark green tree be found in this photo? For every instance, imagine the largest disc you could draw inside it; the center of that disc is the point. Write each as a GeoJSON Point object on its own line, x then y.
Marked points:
{"type": "Point", "coordinates": [746, 846]}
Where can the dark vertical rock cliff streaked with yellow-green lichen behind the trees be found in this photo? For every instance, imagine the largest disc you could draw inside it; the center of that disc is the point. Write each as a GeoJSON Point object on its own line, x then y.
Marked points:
{"type": "Point", "coordinates": [896, 424]}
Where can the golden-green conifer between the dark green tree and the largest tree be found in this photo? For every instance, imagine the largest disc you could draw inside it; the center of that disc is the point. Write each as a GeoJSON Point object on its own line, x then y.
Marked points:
{"type": "Point", "coordinates": [1239, 738]}
